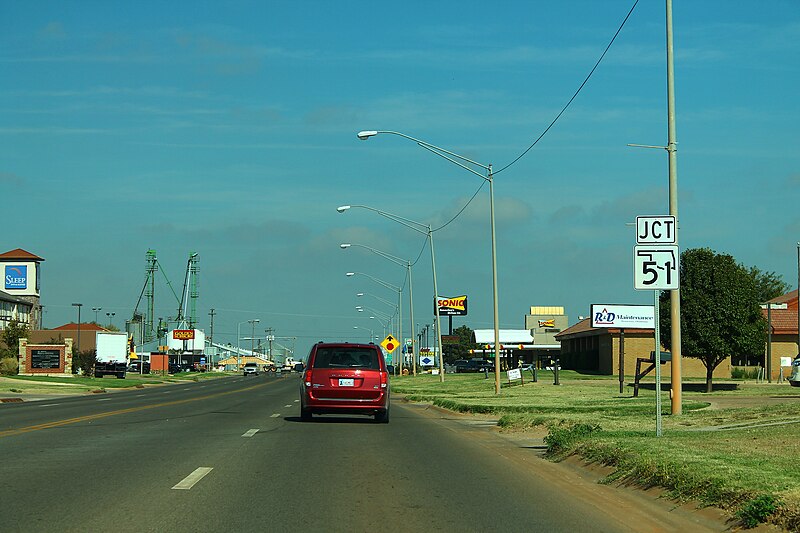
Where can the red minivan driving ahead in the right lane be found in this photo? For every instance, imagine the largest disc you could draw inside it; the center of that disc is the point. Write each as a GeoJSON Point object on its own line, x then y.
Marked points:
{"type": "Point", "coordinates": [345, 378]}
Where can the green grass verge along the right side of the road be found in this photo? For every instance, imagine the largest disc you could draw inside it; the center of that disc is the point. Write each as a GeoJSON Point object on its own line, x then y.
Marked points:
{"type": "Point", "coordinates": [736, 448]}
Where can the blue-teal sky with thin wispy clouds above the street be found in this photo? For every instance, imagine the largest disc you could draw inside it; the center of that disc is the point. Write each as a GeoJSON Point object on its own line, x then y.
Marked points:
{"type": "Point", "coordinates": [229, 129]}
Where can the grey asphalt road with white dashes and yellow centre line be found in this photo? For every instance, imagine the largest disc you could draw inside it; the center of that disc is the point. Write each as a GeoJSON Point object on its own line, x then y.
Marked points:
{"type": "Point", "coordinates": [231, 454]}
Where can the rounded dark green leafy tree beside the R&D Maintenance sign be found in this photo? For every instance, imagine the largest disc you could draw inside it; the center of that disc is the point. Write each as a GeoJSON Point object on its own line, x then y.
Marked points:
{"type": "Point", "coordinates": [720, 312]}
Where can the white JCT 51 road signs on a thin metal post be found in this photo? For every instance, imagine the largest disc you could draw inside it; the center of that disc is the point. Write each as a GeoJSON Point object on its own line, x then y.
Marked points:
{"type": "Point", "coordinates": [656, 264]}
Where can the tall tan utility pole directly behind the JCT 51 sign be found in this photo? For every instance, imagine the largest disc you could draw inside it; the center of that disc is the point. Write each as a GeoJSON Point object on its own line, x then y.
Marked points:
{"type": "Point", "coordinates": [672, 149]}
